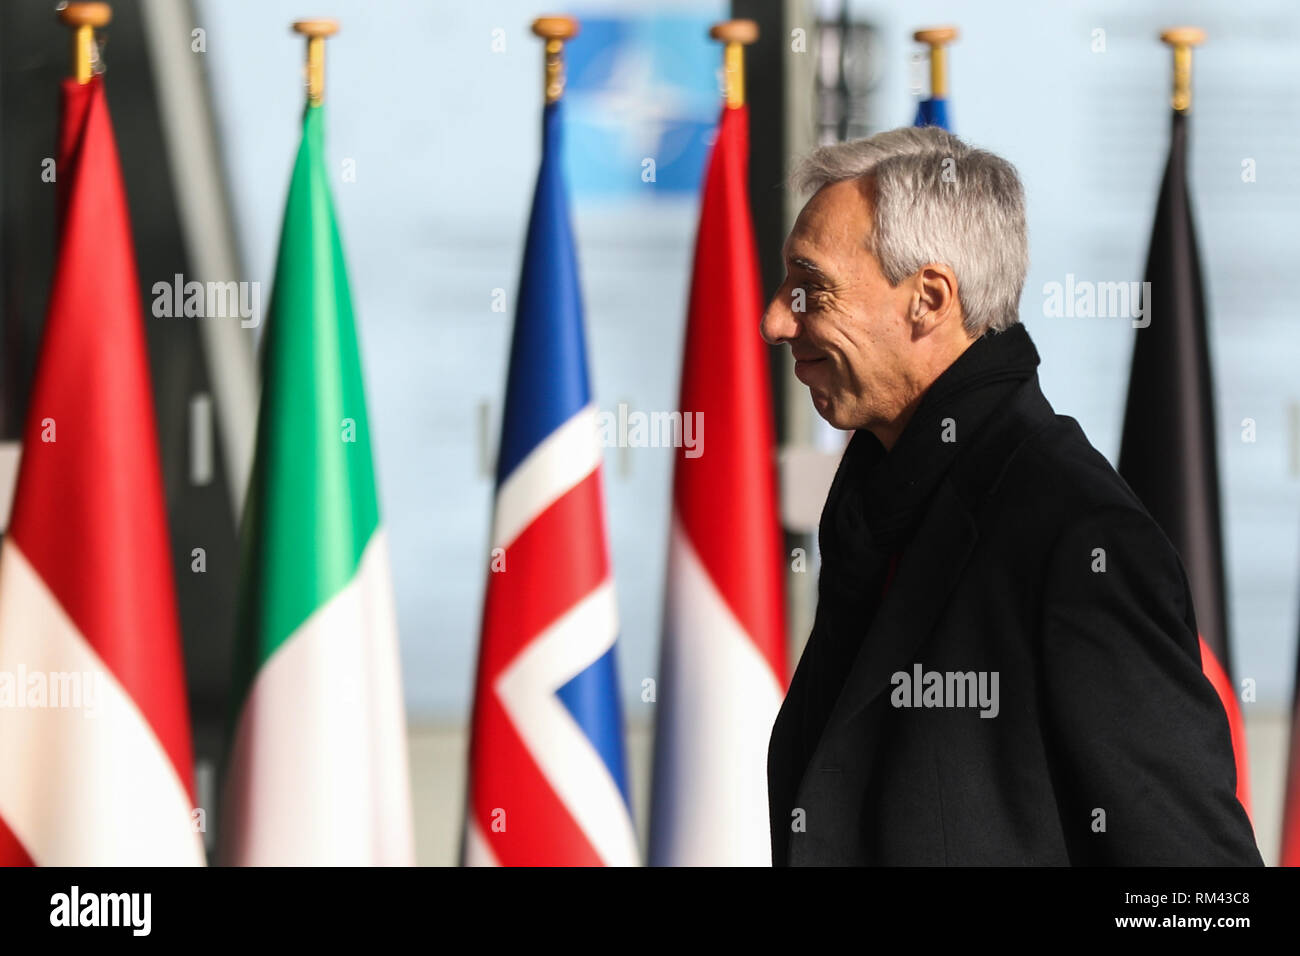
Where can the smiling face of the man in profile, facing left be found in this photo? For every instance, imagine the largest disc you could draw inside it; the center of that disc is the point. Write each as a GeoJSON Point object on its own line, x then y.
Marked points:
{"type": "Point", "coordinates": [847, 328]}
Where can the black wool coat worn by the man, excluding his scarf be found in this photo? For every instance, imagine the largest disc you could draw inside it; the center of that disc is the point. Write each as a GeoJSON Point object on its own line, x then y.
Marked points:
{"type": "Point", "coordinates": [1110, 747]}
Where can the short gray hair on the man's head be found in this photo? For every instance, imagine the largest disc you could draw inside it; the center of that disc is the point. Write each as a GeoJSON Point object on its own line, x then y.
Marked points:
{"type": "Point", "coordinates": [938, 201]}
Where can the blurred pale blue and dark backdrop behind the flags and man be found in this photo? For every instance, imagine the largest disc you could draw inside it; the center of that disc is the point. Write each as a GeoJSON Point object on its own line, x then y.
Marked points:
{"type": "Point", "coordinates": [434, 132]}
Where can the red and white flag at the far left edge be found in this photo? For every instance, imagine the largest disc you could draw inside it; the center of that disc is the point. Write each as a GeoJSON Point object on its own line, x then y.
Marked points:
{"type": "Point", "coordinates": [97, 741]}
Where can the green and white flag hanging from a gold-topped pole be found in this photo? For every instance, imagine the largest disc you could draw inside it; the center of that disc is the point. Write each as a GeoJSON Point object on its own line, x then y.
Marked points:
{"type": "Point", "coordinates": [318, 765]}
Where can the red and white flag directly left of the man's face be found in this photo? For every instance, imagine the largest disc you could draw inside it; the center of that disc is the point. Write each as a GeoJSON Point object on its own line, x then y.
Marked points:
{"type": "Point", "coordinates": [723, 669]}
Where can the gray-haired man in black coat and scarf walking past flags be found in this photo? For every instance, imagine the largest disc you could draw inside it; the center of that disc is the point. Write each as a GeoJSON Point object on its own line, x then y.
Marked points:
{"type": "Point", "coordinates": [1004, 667]}
